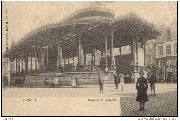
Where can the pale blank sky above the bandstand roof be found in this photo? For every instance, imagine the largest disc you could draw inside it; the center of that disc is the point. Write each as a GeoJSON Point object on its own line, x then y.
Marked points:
{"type": "Point", "coordinates": [24, 17]}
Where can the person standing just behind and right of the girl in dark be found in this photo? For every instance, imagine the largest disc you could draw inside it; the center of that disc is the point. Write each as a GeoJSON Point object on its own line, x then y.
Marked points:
{"type": "Point", "coordinates": [152, 80]}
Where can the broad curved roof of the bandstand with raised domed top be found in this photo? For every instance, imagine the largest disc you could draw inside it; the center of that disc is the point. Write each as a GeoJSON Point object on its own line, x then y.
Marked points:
{"type": "Point", "coordinates": [90, 25]}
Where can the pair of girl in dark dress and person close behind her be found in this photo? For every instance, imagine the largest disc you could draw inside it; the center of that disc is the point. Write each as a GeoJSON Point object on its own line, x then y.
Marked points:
{"type": "Point", "coordinates": [142, 86]}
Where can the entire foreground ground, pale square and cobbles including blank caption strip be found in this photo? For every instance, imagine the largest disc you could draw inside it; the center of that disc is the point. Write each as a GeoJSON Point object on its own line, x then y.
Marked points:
{"type": "Point", "coordinates": [86, 100]}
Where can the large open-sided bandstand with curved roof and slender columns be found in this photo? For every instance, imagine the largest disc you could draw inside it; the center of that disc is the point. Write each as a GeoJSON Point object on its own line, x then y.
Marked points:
{"type": "Point", "coordinates": [80, 45]}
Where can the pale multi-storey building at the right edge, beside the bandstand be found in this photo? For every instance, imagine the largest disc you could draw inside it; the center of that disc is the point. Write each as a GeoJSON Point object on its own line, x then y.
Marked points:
{"type": "Point", "coordinates": [166, 57]}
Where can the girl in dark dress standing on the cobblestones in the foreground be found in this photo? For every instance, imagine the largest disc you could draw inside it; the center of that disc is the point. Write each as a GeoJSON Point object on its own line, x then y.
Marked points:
{"type": "Point", "coordinates": [141, 86]}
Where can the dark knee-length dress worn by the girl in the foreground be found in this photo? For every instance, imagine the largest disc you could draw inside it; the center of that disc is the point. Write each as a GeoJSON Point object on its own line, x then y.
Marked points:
{"type": "Point", "coordinates": [142, 86]}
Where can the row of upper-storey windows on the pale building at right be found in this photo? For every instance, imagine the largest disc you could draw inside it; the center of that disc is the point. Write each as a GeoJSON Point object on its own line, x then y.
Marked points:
{"type": "Point", "coordinates": [168, 49]}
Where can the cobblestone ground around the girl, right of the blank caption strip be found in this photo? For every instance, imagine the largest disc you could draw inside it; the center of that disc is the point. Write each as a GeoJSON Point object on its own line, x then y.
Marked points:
{"type": "Point", "coordinates": [163, 104]}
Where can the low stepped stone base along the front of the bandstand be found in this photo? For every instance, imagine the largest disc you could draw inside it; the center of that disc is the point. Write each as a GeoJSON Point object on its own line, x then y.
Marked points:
{"type": "Point", "coordinates": [84, 78]}
